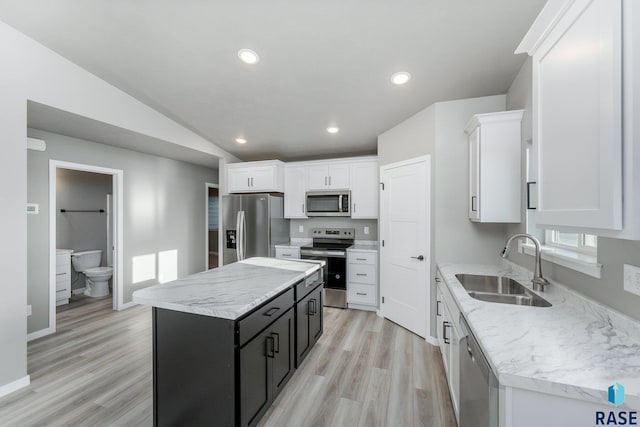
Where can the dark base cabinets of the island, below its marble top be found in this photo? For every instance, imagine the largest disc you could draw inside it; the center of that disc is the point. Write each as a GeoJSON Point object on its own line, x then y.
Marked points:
{"type": "Point", "coordinates": [209, 371]}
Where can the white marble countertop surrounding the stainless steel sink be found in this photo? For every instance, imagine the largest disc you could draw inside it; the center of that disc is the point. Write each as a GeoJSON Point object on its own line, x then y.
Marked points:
{"type": "Point", "coordinates": [576, 348]}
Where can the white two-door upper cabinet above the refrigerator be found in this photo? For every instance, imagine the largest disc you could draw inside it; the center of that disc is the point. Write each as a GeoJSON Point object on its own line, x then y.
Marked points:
{"type": "Point", "coordinates": [254, 177]}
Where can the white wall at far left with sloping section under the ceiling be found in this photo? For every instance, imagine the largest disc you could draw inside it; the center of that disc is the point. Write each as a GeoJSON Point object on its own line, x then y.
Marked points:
{"type": "Point", "coordinates": [30, 71]}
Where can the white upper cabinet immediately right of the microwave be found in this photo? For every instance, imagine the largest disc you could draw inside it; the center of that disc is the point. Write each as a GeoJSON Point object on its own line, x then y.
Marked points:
{"type": "Point", "coordinates": [364, 189]}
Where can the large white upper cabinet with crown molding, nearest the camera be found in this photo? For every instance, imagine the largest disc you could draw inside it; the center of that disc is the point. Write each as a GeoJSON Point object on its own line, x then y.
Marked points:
{"type": "Point", "coordinates": [577, 50]}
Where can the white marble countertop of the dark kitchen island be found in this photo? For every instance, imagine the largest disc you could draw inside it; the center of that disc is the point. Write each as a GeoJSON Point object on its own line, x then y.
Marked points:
{"type": "Point", "coordinates": [229, 291]}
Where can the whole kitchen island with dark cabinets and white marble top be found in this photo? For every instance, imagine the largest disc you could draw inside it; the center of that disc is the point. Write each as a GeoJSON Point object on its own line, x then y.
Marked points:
{"type": "Point", "coordinates": [226, 341]}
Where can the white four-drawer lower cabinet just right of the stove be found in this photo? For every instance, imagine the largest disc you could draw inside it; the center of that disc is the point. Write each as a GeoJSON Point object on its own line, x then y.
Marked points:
{"type": "Point", "coordinates": [362, 279]}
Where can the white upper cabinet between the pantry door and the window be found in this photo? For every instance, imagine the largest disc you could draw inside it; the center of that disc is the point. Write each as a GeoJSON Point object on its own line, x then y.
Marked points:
{"type": "Point", "coordinates": [494, 166]}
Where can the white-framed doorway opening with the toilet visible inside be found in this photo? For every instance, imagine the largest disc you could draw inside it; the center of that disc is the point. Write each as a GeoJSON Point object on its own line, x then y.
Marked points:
{"type": "Point", "coordinates": [85, 236]}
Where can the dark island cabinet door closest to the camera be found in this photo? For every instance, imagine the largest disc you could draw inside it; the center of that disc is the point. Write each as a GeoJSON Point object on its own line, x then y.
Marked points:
{"type": "Point", "coordinates": [255, 381]}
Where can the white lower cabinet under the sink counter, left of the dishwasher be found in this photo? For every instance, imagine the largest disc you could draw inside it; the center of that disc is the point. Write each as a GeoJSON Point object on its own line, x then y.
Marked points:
{"type": "Point", "coordinates": [449, 334]}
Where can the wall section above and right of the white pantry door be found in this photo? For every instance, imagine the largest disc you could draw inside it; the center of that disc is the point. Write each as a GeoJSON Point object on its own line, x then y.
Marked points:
{"type": "Point", "coordinates": [438, 130]}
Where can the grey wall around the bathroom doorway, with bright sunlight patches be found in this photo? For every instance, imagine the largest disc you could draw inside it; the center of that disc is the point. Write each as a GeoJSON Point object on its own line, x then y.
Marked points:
{"type": "Point", "coordinates": [164, 210]}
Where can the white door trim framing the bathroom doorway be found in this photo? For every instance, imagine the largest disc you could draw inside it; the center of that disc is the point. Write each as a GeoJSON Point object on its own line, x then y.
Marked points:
{"type": "Point", "coordinates": [118, 238]}
